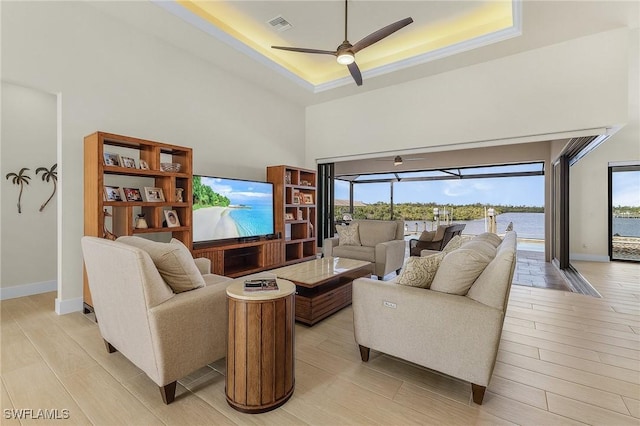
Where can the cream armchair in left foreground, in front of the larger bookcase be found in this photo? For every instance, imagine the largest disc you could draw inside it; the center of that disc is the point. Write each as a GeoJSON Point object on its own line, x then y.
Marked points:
{"type": "Point", "coordinates": [167, 335]}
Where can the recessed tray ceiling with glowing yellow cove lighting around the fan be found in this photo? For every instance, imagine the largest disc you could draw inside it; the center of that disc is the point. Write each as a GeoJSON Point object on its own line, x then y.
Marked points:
{"type": "Point", "coordinates": [439, 29]}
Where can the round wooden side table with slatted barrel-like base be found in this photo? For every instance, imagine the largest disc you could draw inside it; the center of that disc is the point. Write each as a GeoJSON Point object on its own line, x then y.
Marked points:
{"type": "Point", "coordinates": [260, 347]}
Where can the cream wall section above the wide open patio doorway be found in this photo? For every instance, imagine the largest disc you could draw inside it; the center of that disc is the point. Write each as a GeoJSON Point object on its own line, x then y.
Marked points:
{"type": "Point", "coordinates": [574, 85]}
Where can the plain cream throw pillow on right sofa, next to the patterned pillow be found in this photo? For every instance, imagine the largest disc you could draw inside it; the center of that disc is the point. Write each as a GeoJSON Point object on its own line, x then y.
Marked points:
{"type": "Point", "coordinates": [458, 270]}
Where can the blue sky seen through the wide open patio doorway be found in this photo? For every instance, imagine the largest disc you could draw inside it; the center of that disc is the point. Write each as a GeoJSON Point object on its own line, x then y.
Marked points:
{"type": "Point", "coordinates": [517, 191]}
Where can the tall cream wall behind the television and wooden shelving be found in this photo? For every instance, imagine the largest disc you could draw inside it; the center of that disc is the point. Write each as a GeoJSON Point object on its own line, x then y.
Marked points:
{"type": "Point", "coordinates": [116, 79]}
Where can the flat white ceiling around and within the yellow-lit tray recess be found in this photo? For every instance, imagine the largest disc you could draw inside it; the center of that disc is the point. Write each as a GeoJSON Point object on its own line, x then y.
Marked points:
{"type": "Point", "coordinates": [543, 23]}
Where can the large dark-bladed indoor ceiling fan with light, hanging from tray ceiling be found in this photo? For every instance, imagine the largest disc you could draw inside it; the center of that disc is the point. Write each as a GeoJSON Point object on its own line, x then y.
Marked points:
{"type": "Point", "coordinates": [345, 53]}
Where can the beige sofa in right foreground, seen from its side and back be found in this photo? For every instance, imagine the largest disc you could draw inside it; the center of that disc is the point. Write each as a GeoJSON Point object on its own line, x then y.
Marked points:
{"type": "Point", "coordinates": [451, 333]}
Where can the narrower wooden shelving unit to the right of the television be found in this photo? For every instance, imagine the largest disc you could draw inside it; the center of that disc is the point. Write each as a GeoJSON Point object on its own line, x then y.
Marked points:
{"type": "Point", "coordinates": [295, 211]}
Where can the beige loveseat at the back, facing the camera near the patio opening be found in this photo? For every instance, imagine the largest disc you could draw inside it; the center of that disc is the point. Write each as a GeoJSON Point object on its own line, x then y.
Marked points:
{"type": "Point", "coordinates": [380, 242]}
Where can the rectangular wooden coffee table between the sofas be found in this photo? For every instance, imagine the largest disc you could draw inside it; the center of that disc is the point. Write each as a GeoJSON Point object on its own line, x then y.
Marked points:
{"type": "Point", "coordinates": [323, 286]}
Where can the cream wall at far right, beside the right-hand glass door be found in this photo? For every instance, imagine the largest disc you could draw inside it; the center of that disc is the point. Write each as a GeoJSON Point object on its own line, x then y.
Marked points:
{"type": "Point", "coordinates": [588, 191]}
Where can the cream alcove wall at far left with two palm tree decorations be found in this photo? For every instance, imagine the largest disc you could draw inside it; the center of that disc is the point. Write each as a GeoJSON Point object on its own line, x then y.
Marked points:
{"type": "Point", "coordinates": [29, 239]}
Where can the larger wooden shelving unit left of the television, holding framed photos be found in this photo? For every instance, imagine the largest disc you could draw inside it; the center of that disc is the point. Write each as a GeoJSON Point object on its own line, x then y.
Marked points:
{"type": "Point", "coordinates": [123, 213]}
